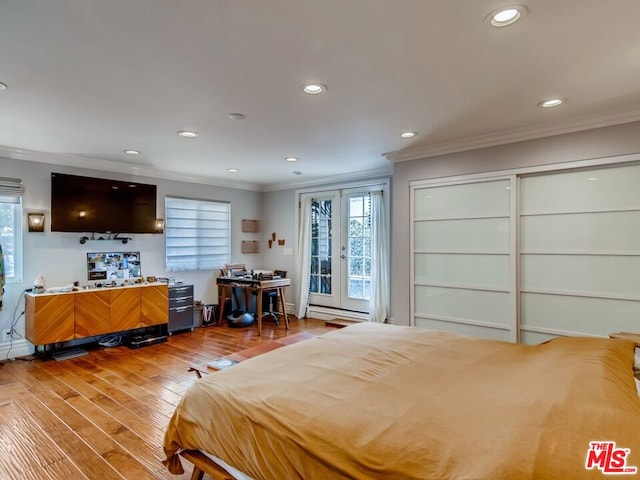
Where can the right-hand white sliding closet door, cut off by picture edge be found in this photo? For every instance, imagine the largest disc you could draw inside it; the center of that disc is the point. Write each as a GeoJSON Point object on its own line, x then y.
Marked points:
{"type": "Point", "coordinates": [580, 253]}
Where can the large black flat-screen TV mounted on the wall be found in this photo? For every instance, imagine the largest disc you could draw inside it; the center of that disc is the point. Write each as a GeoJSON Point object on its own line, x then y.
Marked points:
{"type": "Point", "coordinates": [87, 204]}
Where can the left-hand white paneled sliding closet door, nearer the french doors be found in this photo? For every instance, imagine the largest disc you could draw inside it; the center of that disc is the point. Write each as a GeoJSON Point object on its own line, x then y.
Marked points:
{"type": "Point", "coordinates": [463, 272]}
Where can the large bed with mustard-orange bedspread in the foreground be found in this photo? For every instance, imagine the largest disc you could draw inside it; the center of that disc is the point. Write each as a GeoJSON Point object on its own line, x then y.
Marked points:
{"type": "Point", "coordinates": [391, 402]}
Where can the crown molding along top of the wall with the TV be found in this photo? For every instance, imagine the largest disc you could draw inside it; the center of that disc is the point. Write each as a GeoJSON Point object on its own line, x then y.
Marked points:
{"type": "Point", "coordinates": [119, 167]}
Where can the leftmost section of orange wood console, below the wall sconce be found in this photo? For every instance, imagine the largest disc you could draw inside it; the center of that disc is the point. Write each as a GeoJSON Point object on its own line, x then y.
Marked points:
{"type": "Point", "coordinates": [49, 318]}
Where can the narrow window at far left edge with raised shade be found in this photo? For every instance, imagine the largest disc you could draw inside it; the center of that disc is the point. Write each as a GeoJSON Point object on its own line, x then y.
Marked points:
{"type": "Point", "coordinates": [11, 228]}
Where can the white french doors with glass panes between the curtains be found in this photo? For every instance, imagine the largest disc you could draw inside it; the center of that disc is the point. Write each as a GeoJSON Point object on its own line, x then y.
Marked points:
{"type": "Point", "coordinates": [340, 273]}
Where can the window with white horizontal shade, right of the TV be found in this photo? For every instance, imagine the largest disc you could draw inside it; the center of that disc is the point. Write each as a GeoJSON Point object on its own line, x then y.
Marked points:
{"type": "Point", "coordinates": [198, 234]}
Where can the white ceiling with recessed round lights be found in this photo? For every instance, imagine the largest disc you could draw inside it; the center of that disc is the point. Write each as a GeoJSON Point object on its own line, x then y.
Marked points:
{"type": "Point", "coordinates": [88, 79]}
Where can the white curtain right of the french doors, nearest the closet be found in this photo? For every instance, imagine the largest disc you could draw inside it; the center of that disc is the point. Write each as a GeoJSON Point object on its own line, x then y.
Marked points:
{"type": "Point", "coordinates": [379, 295]}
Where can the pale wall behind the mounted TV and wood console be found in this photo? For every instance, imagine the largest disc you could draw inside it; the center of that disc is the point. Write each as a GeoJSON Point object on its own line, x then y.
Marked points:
{"type": "Point", "coordinates": [61, 259]}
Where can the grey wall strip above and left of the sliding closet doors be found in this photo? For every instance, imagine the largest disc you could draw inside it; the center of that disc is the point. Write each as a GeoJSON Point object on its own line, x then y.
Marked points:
{"type": "Point", "coordinates": [591, 144]}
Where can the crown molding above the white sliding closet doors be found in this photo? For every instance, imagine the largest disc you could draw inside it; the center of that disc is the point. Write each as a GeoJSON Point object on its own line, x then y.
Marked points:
{"type": "Point", "coordinates": [514, 135]}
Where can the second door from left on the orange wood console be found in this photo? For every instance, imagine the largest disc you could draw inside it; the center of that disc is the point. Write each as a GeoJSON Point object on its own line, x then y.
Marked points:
{"type": "Point", "coordinates": [92, 313]}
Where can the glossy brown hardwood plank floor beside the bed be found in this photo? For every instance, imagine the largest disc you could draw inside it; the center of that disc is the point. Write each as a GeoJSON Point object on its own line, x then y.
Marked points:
{"type": "Point", "coordinates": [103, 416]}
